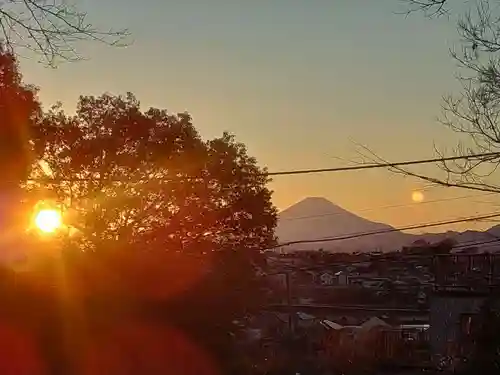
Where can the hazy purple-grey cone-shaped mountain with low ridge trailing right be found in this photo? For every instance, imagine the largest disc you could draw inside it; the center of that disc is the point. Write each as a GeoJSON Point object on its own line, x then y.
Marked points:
{"type": "Point", "coordinates": [317, 218]}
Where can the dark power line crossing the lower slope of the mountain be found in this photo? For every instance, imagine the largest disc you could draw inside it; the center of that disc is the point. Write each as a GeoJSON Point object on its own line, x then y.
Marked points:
{"type": "Point", "coordinates": [389, 230]}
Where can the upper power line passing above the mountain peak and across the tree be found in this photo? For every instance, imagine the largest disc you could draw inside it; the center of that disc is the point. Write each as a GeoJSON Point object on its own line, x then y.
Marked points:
{"type": "Point", "coordinates": [286, 173]}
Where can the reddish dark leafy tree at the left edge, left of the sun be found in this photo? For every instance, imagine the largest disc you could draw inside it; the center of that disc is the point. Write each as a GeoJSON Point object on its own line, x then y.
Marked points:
{"type": "Point", "coordinates": [19, 112]}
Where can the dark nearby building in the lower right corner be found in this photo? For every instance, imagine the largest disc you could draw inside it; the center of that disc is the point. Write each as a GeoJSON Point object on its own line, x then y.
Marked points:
{"type": "Point", "coordinates": [464, 283]}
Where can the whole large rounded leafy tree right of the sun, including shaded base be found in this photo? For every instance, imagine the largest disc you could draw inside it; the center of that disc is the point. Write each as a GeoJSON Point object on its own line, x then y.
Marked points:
{"type": "Point", "coordinates": [160, 219]}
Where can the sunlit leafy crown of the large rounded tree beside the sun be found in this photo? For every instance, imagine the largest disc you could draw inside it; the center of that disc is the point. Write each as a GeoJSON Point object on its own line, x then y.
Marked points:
{"type": "Point", "coordinates": [148, 179]}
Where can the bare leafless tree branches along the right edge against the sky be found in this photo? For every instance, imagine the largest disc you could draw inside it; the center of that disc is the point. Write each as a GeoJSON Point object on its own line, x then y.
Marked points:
{"type": "Point", "coordinates": [473, 115]}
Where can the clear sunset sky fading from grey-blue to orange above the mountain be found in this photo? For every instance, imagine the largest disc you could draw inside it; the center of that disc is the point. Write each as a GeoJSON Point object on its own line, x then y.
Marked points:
{"type": "Point", "coordinates": [303, 83]}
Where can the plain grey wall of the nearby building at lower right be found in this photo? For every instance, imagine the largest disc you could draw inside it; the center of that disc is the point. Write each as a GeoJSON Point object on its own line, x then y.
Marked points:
{"type": "Point", "coordinates": [445, 316]}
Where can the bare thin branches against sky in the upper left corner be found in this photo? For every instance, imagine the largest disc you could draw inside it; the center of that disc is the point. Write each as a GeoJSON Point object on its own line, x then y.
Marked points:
{"type": "Point", "coordinates": [52, 29]}
